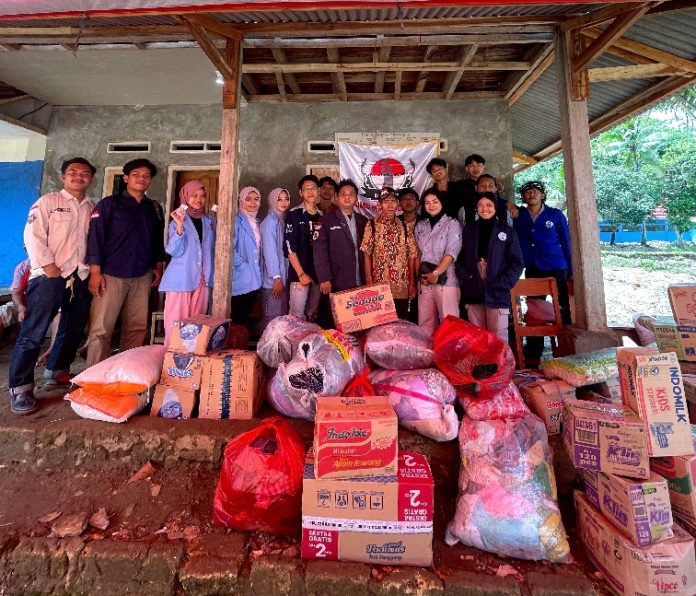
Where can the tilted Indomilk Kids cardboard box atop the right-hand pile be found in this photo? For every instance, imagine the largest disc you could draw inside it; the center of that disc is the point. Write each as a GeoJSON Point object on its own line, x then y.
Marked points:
{"type": "Point", "coordinates": [651, 386]}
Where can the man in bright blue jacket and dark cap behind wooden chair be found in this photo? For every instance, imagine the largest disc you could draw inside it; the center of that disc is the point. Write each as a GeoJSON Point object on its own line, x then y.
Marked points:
{"type": "Point", "coordinates": [545, 242]}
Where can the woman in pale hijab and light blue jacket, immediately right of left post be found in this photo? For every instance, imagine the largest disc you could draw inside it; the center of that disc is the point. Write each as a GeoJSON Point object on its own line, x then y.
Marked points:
{"type": "Point", "coordinates": [274, 290]}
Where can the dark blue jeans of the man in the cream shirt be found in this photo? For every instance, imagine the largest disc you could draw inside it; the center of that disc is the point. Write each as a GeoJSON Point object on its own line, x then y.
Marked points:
{"type": "Point", "coordinates": [45, 296]}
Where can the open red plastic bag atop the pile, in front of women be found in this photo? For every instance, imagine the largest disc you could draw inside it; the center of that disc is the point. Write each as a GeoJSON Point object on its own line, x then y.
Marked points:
{"type": "Point", "coordinates": [474, 360]}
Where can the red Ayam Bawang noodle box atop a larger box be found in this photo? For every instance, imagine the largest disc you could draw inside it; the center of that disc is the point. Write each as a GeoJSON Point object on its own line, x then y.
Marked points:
{"type": "Point", "coordinates": [355, 436]}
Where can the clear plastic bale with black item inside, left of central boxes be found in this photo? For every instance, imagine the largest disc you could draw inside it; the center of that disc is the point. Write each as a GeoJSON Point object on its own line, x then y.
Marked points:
{"type": "Point", "coordinates": [323, 365]}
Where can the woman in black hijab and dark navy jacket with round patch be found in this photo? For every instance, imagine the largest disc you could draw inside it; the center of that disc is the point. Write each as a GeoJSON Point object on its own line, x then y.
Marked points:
{"type": "Point", "coordinates": [488, 267]}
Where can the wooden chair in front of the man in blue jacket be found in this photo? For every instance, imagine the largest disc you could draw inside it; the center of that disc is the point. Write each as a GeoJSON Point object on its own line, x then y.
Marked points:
{"type": "Point", "coordinates": [542, 286]}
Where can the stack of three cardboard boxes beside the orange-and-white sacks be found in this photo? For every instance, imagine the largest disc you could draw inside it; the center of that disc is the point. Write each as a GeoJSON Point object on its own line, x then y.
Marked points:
{"type": "Point", "coordinates": [229, 382]}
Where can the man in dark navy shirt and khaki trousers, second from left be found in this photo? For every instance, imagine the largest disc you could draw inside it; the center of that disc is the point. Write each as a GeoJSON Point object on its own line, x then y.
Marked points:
{"type": "Point", "coordinates": [125, 252]}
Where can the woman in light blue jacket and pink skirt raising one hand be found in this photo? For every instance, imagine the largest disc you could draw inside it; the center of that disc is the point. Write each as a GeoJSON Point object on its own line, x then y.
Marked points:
{"type": "Point", "coordinates": [191, 244]}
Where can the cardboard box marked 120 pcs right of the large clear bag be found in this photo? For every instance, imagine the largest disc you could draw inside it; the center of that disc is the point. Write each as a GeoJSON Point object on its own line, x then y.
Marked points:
{"type": "Point", "coordinates": [605, 437]}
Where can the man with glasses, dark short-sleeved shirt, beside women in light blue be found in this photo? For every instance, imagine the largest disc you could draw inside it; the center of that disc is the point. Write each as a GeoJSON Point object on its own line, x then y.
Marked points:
{"type": "Point", "coordinates": [301, 229]}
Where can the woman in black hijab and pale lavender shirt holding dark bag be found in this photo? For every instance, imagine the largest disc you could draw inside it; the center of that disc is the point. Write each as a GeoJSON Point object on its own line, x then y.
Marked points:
{"type": "Point", "coordinates": [439, 240]}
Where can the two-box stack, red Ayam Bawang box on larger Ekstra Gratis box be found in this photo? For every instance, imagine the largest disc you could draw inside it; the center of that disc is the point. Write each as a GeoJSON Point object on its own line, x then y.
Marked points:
{"type": "Point", "coordinates": [361, 499]}
